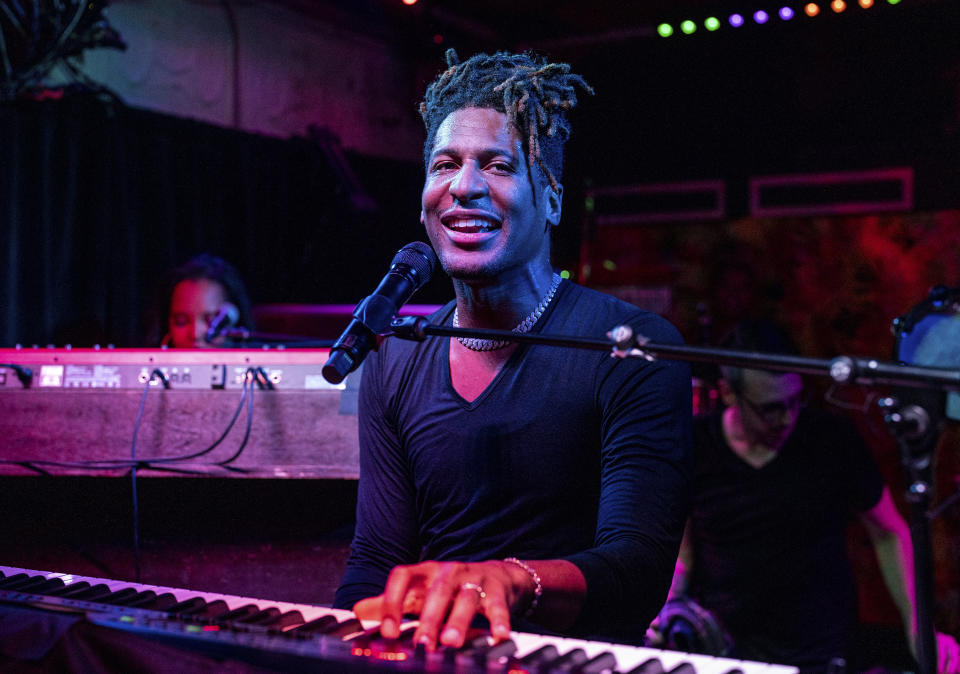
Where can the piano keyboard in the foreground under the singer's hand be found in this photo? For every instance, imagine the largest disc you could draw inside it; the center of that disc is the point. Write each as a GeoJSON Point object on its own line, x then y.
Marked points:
{"type": "Point", "coordinates": [300, 637]}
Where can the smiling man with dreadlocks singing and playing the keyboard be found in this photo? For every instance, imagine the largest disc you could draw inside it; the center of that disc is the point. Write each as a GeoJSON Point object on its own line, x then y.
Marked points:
{"type": "Point", "coordinates": [516, 482]}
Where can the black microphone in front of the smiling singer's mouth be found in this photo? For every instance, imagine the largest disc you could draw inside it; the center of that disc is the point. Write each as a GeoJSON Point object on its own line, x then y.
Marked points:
{"type": "Point", "coordinates": [411, 268]}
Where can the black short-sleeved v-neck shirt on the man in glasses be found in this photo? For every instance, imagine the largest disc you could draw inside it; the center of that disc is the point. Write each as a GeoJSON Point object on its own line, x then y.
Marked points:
{"type": "Point", "coordinates": [770, 554]}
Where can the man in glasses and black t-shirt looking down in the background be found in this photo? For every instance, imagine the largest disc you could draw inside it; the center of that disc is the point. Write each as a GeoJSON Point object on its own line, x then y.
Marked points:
{"type": "Point", "coordinates": [765, 549]}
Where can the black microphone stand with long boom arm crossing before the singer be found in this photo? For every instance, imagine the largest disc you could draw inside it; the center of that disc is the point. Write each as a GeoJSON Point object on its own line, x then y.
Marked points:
{"type": "Point", "coordinates": [911, 425]}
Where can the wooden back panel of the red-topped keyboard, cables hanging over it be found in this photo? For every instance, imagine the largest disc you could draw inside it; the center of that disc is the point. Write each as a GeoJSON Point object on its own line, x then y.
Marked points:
{"type": "Point", "coordinates": [294, 433]}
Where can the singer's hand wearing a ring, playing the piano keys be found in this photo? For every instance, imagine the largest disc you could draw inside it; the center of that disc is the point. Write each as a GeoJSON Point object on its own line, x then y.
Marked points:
{"type": "Point", "coordinates": [446, 596]}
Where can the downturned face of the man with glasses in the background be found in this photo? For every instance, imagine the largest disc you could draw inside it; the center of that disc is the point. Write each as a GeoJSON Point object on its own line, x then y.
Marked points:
{"type": "Point", "coordinates": [769, 404]}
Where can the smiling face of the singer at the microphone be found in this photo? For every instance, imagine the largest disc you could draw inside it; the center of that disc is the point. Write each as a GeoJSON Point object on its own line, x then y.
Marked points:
{"type": "Point", "coordinates": [478, 203]}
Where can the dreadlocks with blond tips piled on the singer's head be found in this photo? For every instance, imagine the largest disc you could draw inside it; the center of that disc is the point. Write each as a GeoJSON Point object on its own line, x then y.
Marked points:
{"type": "Point", "coordinates": [535, 96]}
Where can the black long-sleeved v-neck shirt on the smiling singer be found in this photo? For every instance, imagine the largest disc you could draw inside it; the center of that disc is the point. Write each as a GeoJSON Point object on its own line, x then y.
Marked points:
{"type": "Point", "coordinates": [567, 453]}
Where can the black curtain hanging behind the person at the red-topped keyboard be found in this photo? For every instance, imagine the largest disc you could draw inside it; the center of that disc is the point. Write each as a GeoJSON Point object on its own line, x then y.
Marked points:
{"type": "Point", "coordinates": [98, 201]}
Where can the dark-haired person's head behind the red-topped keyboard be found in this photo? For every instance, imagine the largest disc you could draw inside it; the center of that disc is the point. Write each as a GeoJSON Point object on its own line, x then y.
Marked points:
{"type": "Point", "coordinates": [196, 292]}
